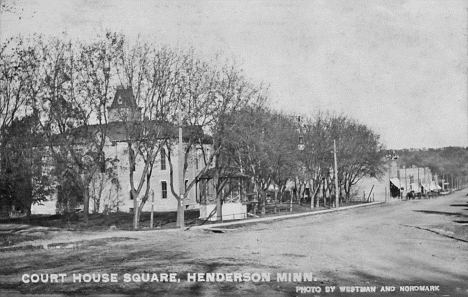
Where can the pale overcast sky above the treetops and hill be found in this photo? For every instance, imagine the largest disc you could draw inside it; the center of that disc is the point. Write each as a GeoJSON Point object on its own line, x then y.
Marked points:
{"type": "Point", "coordinates": [397, 66]}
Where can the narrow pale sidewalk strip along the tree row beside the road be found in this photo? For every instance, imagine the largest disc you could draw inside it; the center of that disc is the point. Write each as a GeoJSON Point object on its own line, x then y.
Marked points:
{"type": "Point", "coordinates": [282, 217]}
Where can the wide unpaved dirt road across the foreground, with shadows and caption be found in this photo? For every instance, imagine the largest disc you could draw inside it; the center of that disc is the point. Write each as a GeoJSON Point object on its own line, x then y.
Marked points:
{"type": "Point", "coordinates": [417, 245]}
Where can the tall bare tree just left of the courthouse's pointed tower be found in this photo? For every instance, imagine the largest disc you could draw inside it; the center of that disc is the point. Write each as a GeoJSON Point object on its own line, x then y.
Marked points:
{"type": "Point", "coordinates": [75, 92]}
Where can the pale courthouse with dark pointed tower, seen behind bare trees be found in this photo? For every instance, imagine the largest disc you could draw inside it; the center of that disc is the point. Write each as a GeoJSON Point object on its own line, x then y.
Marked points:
{"type": "Point", "coordinates": [114, 194]}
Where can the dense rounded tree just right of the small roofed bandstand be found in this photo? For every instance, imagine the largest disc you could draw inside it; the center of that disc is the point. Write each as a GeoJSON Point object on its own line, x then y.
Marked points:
{"type": "Point", "coordinates": [263, 145]}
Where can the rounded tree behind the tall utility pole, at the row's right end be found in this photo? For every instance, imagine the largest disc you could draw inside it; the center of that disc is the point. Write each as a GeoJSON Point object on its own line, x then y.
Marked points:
{"type": "Point", "coordinates": [358, 153]}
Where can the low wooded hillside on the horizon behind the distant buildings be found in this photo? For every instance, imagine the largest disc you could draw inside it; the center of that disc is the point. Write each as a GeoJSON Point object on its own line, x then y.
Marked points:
{"type": "Point", "coordinates": [442, 161]}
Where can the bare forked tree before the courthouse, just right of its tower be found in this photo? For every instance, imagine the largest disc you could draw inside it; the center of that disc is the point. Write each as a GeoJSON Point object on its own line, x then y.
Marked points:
{"type": "Point", "coordinates": [152, 75]}
